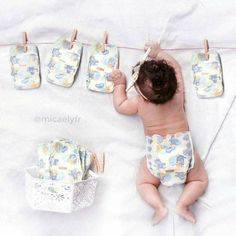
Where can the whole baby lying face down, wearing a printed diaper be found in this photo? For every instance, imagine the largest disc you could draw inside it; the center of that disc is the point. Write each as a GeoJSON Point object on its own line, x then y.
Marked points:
{"type": "Point", "coordinates": [170, 157]}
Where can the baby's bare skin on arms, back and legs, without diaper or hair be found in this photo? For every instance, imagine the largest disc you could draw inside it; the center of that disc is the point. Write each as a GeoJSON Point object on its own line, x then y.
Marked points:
{"type": "Point", "coordinates": [168, 118]}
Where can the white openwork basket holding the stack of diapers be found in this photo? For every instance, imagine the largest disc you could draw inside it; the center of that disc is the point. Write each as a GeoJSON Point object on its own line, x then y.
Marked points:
{"type": "Point", "coordinates": [51, 195]}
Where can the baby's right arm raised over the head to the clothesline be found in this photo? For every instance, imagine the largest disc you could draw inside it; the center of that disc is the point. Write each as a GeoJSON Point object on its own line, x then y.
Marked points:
{"type": "Point", "coordinates": [159, 54]}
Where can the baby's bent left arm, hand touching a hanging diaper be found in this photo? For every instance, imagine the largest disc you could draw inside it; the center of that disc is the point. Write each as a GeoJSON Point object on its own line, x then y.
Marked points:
{"type": "Point", "coordinates": [122, 103]}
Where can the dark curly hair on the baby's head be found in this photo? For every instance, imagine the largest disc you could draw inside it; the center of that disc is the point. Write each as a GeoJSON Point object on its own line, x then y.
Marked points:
{"type": "Point", "coordinates": [157, 81]}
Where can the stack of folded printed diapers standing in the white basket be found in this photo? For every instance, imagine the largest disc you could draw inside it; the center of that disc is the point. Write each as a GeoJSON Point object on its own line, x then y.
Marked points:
{"type": "Point", "coordinates": [64, 161]}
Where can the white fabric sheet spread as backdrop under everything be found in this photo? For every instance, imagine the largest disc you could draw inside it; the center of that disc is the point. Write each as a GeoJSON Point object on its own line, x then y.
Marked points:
{"type": "Point", "coordinates": [118, 209]}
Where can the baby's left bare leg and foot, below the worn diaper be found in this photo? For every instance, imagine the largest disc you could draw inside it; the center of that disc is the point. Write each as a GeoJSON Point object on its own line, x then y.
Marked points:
{"type": "Point", "coordinates": [147, 185]}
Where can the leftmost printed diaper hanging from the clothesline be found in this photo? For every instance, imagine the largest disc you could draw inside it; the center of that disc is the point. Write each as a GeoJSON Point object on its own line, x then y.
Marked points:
{"type": "Point", "coordinates": [25, 66]}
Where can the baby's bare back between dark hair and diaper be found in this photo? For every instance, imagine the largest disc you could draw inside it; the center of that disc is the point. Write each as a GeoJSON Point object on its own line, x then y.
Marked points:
{"type": "Point", "coordinates": [168, 118]}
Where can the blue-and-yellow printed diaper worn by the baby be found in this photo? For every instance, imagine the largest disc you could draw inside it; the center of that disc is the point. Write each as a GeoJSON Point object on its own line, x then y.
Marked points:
{"type": "Point", "coordinates": [170, 157]}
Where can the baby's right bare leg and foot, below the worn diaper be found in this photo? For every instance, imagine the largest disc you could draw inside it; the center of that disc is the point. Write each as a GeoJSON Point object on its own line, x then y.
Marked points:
{"type": "Point", "coordinates": [195, 186]}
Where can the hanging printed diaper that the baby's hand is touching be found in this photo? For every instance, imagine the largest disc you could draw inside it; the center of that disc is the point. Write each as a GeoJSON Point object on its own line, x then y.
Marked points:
{"type": "Point", "coordinates": [103, 59]}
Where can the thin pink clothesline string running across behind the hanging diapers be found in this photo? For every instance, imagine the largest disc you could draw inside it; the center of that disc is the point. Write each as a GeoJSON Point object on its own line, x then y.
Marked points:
{"type": "Point", "coordinates": [134, 48]}
